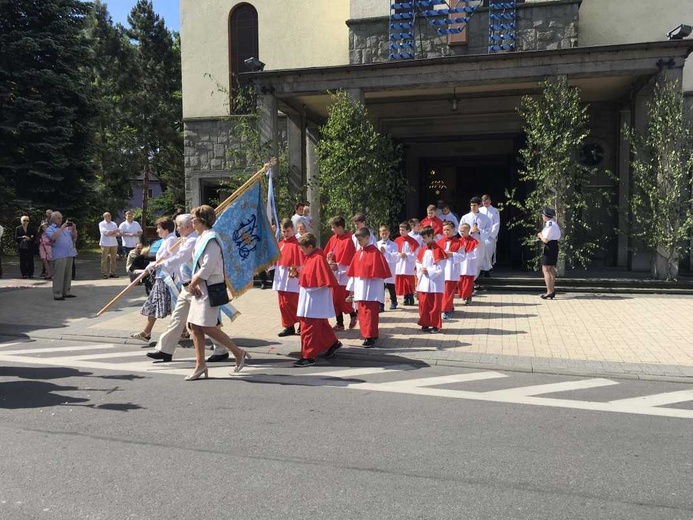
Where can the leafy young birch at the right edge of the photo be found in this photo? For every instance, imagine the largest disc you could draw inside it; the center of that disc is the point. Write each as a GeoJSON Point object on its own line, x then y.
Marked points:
{"type": "Point", "coordinates": [661, 203]}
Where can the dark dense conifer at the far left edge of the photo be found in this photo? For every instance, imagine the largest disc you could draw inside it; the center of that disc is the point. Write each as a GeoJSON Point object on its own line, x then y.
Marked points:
{"type": "Point", "coordinates": [46, 106]}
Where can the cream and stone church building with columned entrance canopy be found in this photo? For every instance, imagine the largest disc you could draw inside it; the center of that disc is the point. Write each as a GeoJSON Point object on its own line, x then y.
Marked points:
{"type": "Point", "coordinates": [444, 78]}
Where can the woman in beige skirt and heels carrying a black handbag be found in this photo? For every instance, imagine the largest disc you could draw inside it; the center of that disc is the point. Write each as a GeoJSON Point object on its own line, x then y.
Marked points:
{"type": "Point", "coordinates": [208, 269]}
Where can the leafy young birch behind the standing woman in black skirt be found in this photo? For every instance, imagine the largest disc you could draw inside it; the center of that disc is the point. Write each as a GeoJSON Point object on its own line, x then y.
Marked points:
{"type": "Point", "coordinates": [556, 125]}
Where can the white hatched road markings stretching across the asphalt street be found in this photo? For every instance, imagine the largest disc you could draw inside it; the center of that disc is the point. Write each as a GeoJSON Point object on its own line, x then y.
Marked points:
{"type": "Point", "coordinates": [380, 379]}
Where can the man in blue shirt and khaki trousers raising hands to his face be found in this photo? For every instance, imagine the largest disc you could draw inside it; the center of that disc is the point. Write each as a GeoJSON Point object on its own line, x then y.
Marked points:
{"type": "Point", "coordinates": [62, 236]}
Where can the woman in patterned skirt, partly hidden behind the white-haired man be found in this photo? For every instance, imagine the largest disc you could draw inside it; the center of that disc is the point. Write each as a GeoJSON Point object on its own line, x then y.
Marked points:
{"type": "Point", "coordinates": [158, 304]}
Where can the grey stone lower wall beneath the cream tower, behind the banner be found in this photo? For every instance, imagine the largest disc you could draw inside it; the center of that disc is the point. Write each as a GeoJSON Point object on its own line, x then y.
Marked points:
{"type": "Point", "coordinates": [208, 146]}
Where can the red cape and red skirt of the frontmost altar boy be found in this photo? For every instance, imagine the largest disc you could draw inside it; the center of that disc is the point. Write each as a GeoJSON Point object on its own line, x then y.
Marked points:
{"type": "Point", "coordinates": [317, 335]}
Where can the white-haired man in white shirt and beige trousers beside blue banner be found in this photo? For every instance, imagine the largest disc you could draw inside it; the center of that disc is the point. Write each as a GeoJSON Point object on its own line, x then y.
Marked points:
{"type": "Point", "coordinates": [181, 263]}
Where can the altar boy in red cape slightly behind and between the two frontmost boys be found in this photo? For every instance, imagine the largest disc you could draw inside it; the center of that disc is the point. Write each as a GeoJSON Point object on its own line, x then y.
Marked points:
{"type": "Point", "coordinates": [340, 250]}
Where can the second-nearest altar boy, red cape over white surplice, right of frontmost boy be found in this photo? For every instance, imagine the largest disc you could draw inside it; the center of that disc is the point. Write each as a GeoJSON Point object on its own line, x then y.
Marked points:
{"type": "Point", "coordinates": [368, 271]}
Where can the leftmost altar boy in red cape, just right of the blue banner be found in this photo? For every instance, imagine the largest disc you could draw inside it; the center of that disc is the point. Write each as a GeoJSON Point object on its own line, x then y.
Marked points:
{"type": "Point", "coordinates": [286, 278]}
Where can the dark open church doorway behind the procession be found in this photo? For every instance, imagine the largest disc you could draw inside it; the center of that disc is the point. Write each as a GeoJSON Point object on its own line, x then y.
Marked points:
{"type": "Point", "coordinates": [457, 179]}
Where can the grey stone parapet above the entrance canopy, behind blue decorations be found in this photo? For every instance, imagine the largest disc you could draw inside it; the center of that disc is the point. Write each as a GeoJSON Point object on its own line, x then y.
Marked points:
{"type": "Point", "coordinates": [540, 26]}
